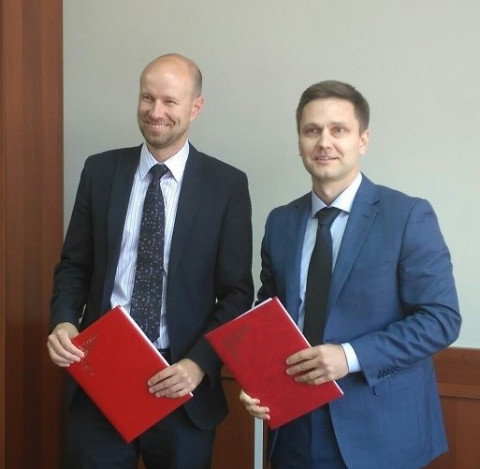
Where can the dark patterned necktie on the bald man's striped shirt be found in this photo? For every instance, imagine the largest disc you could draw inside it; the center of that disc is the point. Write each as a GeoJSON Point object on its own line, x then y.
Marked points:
{"type": "Point", "coordinates": [147, 289]}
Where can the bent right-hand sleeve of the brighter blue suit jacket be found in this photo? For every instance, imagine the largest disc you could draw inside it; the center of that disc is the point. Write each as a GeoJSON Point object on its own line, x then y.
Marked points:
{"type": "Point", "coordinates": [428, 299]}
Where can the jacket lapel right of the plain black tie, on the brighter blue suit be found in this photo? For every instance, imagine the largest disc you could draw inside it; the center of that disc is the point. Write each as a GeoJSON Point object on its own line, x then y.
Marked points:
{"type": "Point", "coordinates": [364, 209]}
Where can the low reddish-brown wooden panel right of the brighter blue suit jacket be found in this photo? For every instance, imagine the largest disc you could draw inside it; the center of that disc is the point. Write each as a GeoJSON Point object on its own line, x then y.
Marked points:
{"type": "Point", "coordinates": [458, 376]}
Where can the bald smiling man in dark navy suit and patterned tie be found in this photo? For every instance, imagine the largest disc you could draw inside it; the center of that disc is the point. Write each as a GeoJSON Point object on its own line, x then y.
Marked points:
{"type": "Point", "coordinates": [206, 272]}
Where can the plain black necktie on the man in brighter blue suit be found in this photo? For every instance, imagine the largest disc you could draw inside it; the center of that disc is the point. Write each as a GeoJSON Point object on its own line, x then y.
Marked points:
{"type": "Point", "coordinates": [319, 277]}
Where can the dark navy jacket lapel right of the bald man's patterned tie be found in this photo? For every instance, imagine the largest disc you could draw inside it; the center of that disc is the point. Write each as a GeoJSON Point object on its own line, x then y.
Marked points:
{"type": "Point", "coordinates": [190, 196]}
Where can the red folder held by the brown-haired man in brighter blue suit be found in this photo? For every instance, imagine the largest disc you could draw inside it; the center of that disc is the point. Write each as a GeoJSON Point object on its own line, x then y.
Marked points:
{"type": "Point", "coordinates": [254, 346]}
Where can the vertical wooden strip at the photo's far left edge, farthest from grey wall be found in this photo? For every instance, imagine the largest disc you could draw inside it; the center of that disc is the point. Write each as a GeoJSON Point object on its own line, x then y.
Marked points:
{"type": "Point", "coordinates": [14, 230]}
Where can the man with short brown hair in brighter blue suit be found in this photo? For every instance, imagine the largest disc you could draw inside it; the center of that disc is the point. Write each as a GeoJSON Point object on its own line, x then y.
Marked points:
{"type": "Point", "coordinates": [391, 304]}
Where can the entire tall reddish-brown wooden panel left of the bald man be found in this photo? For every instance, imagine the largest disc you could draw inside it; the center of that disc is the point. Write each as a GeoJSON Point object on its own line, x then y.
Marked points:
{"type": "Point", "coordinates": [32, 195]}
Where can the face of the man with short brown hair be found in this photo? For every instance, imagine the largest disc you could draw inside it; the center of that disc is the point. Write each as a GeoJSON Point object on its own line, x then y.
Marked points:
{"type": "Point", "coordinates": [330, 144]}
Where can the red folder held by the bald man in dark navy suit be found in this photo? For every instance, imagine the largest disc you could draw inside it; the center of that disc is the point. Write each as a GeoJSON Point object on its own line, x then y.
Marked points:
{"type": "Point", "coordinates": [119, 360]}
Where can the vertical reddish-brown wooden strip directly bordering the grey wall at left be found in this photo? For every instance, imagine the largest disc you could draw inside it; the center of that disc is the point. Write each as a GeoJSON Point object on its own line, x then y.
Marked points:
{"type": "Point", "coordinates": [51, 144]}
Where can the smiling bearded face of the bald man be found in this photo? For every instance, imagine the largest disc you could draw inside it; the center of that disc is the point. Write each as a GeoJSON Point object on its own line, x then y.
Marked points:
{"type": "Point", "coordinates": [167, 104]}
